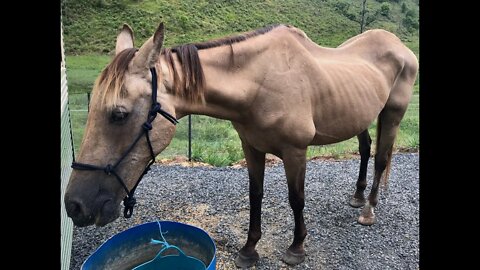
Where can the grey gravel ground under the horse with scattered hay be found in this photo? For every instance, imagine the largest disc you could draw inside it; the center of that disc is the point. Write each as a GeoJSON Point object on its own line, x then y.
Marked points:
{"type": "Point", "coordinates": [216, 199]}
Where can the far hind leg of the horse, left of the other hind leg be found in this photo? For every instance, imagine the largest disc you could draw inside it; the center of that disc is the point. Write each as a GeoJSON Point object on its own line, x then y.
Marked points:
{"type": "Point", "coordinates": [364, 142]}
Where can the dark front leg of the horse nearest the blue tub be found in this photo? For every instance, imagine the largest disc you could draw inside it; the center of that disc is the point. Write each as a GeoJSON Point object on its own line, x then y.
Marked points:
{"type": "Point", "coordinates": [248, 256]}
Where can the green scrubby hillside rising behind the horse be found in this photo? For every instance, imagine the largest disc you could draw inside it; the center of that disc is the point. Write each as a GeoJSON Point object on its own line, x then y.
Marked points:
{"type": "Point", "coordinates": [90, 26]}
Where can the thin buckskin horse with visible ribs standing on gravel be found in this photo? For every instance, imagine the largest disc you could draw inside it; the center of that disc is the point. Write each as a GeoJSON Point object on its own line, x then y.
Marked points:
{"type": "Point", "coordinates": [282, 93]}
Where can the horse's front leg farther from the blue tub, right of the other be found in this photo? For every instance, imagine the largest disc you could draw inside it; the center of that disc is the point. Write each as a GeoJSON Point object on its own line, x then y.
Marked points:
{"type": "Point", "coordinates": [295, 164]}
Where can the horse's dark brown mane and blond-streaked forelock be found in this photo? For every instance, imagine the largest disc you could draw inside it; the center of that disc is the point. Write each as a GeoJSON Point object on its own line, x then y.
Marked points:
{"type": "Point", "coordinates": [191, 88]}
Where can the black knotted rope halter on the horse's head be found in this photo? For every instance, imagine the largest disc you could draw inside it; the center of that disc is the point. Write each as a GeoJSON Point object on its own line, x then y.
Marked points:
{"type": "Point", "coordinates": [129, 201]}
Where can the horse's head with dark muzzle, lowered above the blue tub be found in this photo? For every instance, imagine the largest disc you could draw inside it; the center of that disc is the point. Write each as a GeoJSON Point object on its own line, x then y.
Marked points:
{"type": "Point", "coordinates": [120, 105]}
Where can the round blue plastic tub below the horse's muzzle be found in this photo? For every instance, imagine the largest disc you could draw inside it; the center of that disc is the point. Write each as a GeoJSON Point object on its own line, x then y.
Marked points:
{"type": "Point", "coordinates": [132, 247]}
